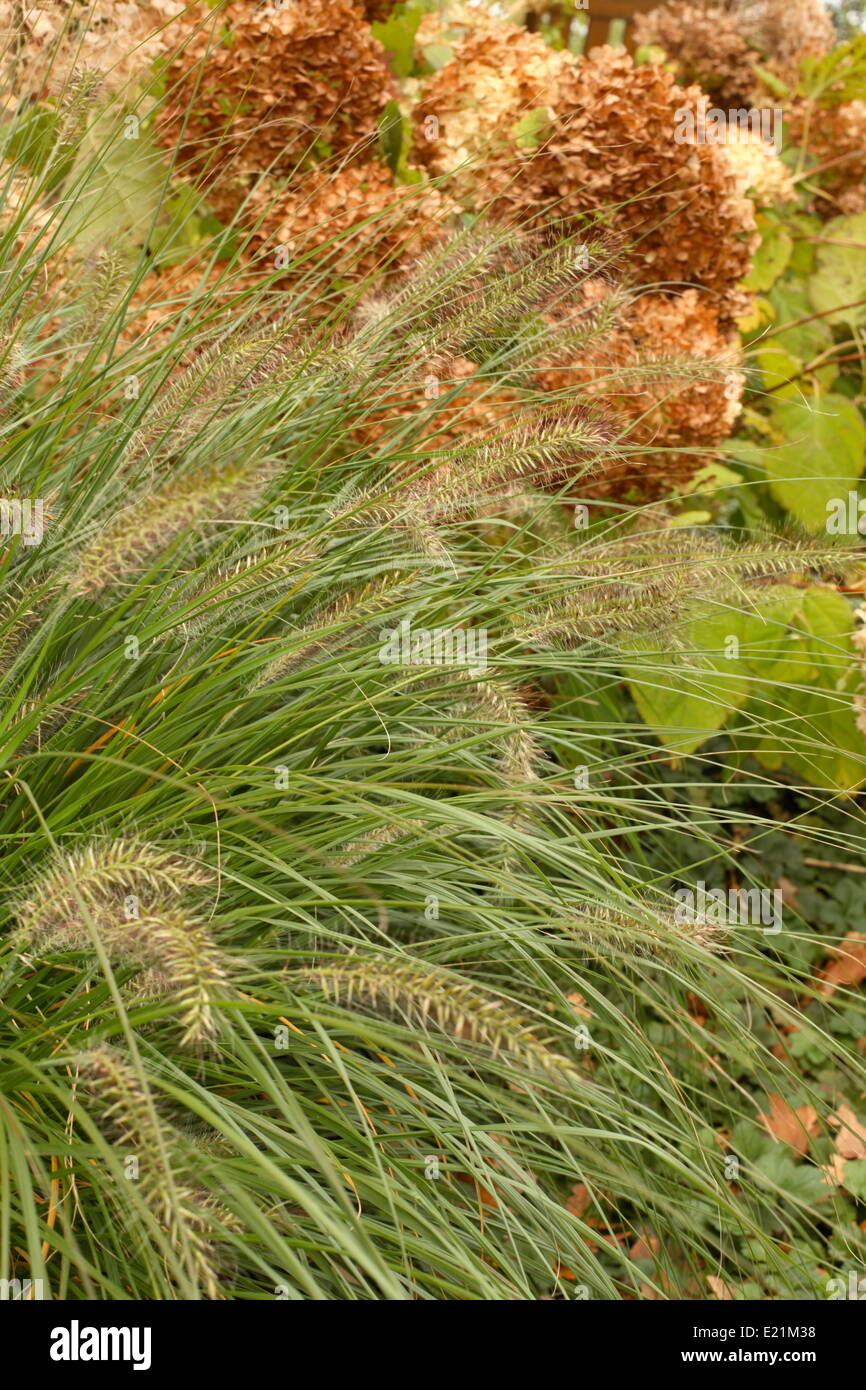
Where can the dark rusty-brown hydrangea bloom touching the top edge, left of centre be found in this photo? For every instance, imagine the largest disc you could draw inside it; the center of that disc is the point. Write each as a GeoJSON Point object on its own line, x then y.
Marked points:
{"type": "Point", "coordinates": [268, 88]}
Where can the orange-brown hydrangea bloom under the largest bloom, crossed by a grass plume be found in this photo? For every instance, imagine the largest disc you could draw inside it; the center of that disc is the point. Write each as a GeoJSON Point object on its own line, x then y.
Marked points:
{"type": "Point", "coordinates": [647, 375]}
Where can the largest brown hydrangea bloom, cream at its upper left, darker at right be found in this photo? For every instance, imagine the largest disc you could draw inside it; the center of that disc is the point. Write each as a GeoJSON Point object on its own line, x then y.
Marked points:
{"type": "Point", "coordinates": [608, 149]}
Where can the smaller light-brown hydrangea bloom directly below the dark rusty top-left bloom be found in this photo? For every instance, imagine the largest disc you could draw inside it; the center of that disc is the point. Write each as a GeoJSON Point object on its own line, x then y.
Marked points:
{"type": "Point", "coordinates": [359, 219]}
